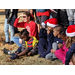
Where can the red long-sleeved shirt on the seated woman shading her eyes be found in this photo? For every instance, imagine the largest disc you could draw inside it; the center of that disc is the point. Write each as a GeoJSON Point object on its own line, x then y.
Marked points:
{"type": "Point", "coordinates": [31, 27]}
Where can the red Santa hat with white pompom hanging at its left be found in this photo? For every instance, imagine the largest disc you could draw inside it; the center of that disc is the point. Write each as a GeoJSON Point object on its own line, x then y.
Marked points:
{"type": "Point", "coordinates": [53, 22]}
